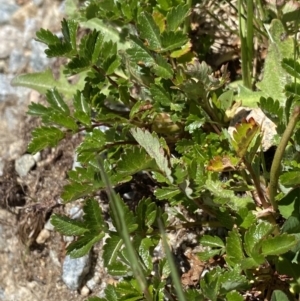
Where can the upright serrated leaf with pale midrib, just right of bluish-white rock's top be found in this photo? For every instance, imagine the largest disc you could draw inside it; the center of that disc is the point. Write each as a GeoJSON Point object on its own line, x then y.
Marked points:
{"type": "Point", "coordinates": [111, 249]}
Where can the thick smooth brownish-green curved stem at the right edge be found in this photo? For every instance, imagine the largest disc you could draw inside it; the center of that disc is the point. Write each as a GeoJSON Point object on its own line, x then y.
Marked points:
{"type": "Point", "coordinates": [275, 168]}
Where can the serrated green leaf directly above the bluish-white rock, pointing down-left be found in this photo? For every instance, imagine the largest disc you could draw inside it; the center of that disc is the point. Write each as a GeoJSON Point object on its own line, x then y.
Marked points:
{"type": "Point", "coordinates": [84, 244]}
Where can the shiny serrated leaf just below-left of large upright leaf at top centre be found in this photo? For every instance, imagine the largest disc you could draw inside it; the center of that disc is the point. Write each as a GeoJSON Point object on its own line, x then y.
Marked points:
{"type": "Point", "coordinates": [138, 53]}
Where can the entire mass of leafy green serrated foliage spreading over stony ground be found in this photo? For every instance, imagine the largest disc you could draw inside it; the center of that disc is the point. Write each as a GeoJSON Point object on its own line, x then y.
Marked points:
{"type": "Point", "coordinates": [166, 117]}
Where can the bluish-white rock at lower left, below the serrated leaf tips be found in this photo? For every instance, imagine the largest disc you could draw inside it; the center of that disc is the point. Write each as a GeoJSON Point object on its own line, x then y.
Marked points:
{"type": "Point", "coordinates": [74, 271]}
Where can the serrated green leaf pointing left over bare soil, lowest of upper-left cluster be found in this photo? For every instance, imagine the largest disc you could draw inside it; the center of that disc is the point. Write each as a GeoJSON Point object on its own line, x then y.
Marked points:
{"type": "Point", "coordinates": [43, 137]}
